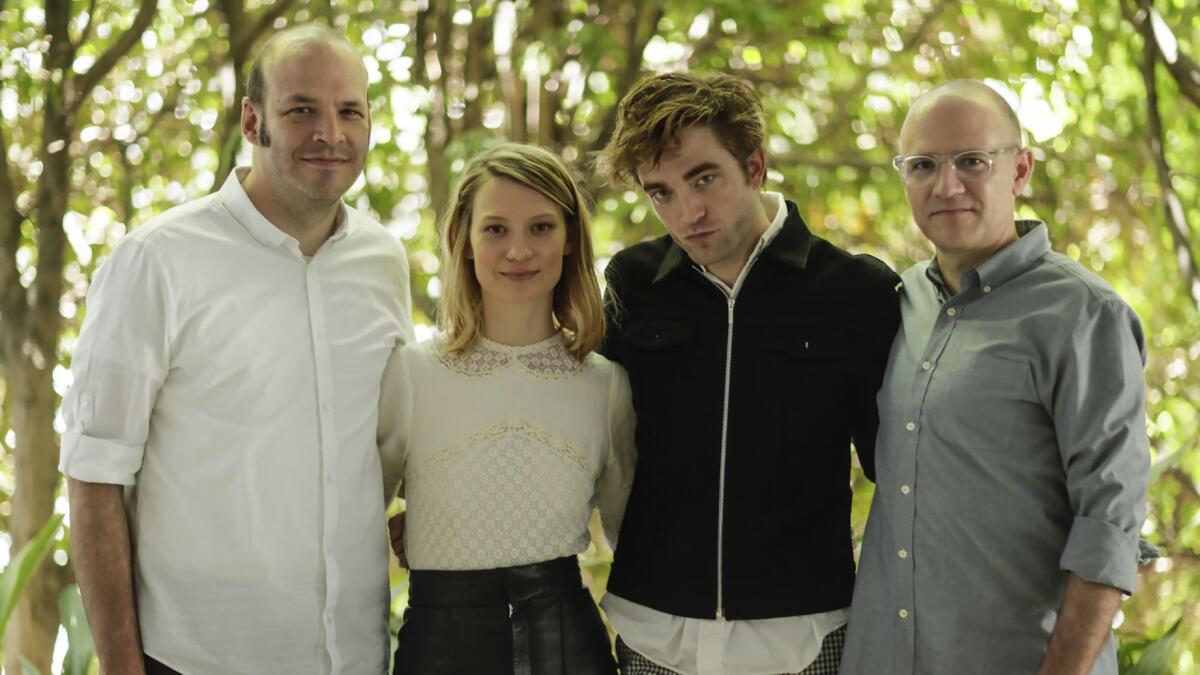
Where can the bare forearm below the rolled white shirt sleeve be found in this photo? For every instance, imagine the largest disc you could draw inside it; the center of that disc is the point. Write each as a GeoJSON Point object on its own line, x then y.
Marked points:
{"type": "Point", "coordinates": [100, 551]}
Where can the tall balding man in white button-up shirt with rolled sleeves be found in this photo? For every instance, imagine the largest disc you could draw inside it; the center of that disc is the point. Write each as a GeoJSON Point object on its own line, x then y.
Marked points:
{"type": "Point", "coordinates": [226, 492]}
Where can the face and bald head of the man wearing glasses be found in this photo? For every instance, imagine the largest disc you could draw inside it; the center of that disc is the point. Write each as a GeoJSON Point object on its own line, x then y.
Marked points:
{"type": "Point", "coordinates": [965, 219]}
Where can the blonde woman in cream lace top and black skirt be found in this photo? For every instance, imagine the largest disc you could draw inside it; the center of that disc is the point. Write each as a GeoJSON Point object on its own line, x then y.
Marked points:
{"type": "Point", "coordinates": [506, 432]}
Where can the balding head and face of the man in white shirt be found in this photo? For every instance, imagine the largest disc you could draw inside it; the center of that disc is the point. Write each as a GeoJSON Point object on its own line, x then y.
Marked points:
{"type": "Point", "coordinates": [313, 132]}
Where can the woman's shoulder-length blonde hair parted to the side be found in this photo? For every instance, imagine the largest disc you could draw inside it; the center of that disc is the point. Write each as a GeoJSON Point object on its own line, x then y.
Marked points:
{"type": "Point", "coordinates": [578, 308]}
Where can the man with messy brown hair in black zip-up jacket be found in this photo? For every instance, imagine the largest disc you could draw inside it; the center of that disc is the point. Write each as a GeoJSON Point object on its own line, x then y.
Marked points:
{"type": "Point", "coordinates": [754, 350]}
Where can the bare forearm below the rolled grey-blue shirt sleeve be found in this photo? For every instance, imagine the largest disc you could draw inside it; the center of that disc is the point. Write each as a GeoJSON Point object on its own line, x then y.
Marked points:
{"type": "Point", "coordinates": [1084, 625]}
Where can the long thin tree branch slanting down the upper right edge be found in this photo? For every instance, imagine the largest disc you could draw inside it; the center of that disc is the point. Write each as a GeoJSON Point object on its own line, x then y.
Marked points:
{"type": "Point", "coordinates": [1177, 217]}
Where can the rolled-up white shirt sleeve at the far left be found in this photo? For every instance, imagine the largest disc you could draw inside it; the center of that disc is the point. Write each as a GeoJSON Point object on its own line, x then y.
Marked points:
{"type": "Point", "coordinates": [119, 366]}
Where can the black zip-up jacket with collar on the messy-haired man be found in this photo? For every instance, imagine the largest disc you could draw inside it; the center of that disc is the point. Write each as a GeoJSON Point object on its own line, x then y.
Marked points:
{"type": "Point", "coordinates": [812, 328]}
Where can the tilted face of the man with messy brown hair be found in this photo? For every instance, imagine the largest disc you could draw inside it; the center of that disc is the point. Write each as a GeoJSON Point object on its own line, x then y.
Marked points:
{"type": "Point", "coordinates": [707, 202]}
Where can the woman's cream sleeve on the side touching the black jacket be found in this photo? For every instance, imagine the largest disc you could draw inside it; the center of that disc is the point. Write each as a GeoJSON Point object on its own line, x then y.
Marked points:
{"type": "Point", "coordinates": [617, 474]}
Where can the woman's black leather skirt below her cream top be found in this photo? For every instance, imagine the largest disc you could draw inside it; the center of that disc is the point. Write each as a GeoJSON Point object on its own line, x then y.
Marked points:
{"type": "Point", "coordinates": [527, 620]}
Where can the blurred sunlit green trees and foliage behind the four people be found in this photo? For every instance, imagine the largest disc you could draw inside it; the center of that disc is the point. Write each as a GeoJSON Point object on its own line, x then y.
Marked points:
{"type": "Point", "coordinates": [115, 111]}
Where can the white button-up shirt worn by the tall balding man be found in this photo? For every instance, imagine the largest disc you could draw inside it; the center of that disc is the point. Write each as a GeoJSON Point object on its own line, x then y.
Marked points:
{"type": "Point", "coordinates": [233, 387]}
